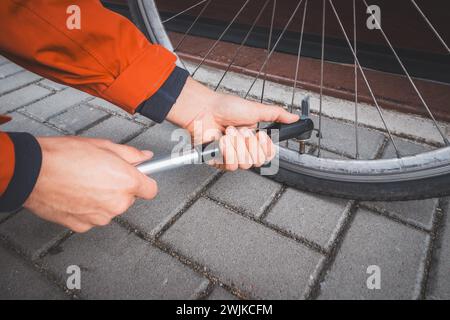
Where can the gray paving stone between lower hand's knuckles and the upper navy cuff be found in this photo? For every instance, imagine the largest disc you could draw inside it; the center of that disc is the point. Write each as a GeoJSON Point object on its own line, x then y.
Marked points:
{"type": "Point", "coordinates": [115, 129]}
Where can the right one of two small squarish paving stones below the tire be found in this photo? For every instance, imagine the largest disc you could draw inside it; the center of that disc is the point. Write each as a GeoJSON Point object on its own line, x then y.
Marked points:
{"type": "Point", "coordinates": [306, 215]}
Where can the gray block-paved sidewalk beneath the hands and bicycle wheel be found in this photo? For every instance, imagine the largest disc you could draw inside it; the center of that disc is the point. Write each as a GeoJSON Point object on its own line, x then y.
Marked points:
{"type": "Point", "coordinates": [214, 235]}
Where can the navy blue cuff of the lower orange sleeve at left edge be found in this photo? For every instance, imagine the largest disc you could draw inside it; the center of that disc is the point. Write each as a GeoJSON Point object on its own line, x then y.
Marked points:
{"type": "Point", "coordinates": [28, 161]}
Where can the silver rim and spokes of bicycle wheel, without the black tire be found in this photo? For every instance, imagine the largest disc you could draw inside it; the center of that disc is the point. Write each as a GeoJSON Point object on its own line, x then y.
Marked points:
{"type": "Point", "coordinates": [425, 165]}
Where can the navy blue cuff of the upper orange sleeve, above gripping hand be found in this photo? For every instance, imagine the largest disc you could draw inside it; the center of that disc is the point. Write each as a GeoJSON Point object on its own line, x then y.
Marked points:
{"type": "Point", "coordinates": [158, 105]}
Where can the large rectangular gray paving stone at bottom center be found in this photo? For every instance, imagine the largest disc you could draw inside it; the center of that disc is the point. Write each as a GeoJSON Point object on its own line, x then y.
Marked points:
{"type": "Point", "coordinates": [243, 253]}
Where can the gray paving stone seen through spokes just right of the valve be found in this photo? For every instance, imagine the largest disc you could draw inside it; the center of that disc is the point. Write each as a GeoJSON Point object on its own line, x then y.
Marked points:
{"type": "Point", "coordinates": [339, 137]}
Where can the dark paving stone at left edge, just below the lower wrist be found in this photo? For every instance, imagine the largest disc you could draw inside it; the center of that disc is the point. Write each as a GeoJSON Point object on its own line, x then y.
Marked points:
{"type": "Point", "coordinates": [30, 233]}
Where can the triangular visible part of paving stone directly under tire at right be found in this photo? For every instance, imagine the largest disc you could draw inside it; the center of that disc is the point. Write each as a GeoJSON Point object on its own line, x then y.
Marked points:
{"type": "Point", "coordinates": [417, 212]}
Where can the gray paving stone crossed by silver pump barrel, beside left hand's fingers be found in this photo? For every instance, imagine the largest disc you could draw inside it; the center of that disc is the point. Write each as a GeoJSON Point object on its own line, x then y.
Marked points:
{"type": "Point", "coordinates": [176, 187]}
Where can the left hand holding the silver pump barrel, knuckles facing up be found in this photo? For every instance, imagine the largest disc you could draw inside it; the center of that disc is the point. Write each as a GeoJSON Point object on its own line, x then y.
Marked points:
{"type": "Point", "coordinates": [86, 182]}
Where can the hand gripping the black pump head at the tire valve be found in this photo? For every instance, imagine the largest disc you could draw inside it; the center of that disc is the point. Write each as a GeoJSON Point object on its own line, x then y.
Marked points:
{"type": "Point", "coordinates": [206, 114]}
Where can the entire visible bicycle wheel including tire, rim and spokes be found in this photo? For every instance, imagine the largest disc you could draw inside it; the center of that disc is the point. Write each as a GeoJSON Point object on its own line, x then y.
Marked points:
{"type": "Point", "coordinates": [418, 176]}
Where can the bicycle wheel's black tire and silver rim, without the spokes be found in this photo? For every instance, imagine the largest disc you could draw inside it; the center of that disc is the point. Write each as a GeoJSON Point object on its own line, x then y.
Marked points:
{"type": "Point", "coordinates": [422, 176]}
